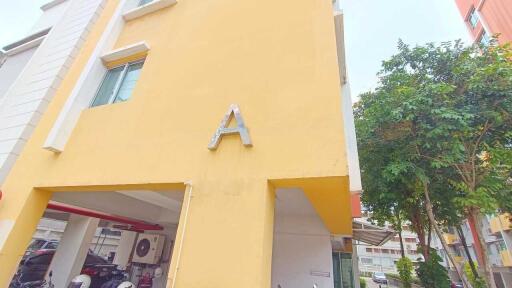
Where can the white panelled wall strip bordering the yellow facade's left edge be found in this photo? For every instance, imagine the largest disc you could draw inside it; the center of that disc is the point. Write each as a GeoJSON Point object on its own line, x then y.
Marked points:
{"type": "Point", "coordinates": [27, 98]}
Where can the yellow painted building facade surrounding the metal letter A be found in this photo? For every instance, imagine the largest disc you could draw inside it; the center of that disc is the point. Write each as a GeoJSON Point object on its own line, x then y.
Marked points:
{"type": "Point", "coordinates": [277, 61]}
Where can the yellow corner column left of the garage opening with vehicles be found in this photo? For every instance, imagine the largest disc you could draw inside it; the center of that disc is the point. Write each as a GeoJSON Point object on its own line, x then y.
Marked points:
{"type": "Point", "coordinates": [20, 211]}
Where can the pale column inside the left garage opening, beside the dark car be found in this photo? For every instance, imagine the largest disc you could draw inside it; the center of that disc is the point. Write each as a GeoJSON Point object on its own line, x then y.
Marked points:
{"type": "Point", "coordinates": [73, 247]}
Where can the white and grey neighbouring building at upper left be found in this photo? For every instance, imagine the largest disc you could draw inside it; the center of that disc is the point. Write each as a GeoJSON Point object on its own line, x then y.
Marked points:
{"type": "Point", "coordinates": [32, 68]}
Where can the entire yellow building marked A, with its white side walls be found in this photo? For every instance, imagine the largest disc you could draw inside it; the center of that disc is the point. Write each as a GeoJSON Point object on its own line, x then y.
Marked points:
{"type": "Point", "coordinates": [121, 129]}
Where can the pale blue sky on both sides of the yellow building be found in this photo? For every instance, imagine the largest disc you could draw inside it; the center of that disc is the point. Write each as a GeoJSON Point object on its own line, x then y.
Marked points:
{"type": "Point", "coordinates": [372, 29]}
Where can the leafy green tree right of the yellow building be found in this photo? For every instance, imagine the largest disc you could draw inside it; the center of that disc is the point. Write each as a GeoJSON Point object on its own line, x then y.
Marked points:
{"type": "Point", "coordinates": [442, 116]}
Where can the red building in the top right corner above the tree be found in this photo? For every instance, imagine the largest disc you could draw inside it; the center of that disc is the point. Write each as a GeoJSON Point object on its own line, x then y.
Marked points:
{"type": "Point", "coordinates": [485, 18]}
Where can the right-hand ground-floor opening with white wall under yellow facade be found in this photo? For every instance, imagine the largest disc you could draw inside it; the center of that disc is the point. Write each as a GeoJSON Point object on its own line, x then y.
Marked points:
{"type": "Point", "coordinates": [305, 254]}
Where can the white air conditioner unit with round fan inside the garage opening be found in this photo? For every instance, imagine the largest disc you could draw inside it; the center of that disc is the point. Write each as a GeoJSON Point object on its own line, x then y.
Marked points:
{"type": "Point", "coordinates": [148, 249]}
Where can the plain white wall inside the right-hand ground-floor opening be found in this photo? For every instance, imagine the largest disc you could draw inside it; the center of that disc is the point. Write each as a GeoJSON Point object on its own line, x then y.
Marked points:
{"type": "Point", "coordinates": [302, 252]}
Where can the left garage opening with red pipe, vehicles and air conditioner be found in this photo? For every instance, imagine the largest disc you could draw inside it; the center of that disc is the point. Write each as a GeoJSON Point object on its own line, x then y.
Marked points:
{"type": "Point", "coordinates": [110, 236]}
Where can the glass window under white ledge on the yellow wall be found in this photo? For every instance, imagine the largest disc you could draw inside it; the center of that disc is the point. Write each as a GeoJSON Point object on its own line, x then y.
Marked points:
{"type": "Point", "coordinates": [118, 84]}
